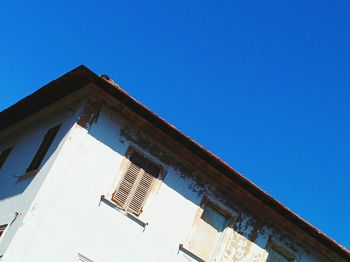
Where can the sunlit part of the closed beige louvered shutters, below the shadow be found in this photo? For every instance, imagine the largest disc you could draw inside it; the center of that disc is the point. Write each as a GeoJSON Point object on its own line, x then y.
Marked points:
{"type": "Point", "coordinates": [133, 189]}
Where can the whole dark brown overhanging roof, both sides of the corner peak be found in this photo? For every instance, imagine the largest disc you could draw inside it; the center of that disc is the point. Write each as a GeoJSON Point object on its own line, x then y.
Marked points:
{"type": "Point", "coordinates": [81, 76]}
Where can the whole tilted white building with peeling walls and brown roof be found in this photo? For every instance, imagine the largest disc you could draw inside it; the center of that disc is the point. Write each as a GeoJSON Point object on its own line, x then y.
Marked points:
{"type": "Point", "coordinates": [87, 173]}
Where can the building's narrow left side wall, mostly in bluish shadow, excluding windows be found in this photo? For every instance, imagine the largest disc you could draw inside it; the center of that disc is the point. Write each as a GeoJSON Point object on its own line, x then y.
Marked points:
{"type": "Point", "coordinates": [17, 196]}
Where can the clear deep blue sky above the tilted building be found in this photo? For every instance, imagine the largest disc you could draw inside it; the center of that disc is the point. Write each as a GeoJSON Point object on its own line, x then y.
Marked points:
{"type": "Point", "coordinates": [263, 84]}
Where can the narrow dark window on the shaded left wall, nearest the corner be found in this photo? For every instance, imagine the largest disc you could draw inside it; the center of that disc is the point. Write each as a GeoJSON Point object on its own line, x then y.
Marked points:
{"type": "Point", "coordinates": [43, 148]}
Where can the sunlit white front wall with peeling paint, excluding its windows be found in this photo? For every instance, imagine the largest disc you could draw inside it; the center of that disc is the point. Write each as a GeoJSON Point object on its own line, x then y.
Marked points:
{"type": "Point", "coordinates": [67, 217]}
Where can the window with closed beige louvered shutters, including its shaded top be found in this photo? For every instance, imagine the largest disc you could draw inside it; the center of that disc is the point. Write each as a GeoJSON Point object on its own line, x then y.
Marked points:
{"type": "Point", "coordinates": [136, 184]}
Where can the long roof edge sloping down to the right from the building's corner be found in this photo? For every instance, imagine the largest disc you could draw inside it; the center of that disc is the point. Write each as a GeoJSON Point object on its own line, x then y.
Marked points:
{"type": "Point", "coordinates": [219, 164]}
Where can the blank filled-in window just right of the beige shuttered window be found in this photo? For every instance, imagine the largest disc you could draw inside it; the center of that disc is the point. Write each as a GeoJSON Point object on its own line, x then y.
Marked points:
{"type": "Point", "coordinates": [208, 233]}
